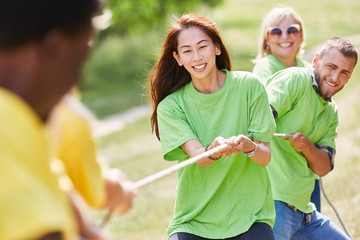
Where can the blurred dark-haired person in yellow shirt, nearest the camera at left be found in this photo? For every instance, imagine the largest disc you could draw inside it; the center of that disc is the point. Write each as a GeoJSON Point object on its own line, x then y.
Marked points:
{"type": "Point", "coordinates": [43, 45]}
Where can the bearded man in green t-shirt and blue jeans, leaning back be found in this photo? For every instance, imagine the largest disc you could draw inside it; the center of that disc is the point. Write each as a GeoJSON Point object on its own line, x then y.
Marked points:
{"type": "Point", "coordinates": [302, 106]}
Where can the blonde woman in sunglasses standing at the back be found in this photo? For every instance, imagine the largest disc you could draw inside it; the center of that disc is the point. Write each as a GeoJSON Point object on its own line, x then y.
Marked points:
{"type": "Point", "coordinates": [281, 42]}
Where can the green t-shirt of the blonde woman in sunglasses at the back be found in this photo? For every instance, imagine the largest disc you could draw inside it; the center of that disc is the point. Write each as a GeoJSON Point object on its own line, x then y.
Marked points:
{"type": "Point", "coordinates": [269, 65]}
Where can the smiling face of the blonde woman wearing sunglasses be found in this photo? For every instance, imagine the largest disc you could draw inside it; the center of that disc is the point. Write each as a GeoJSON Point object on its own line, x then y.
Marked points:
{"type": "Point", "coordinates": [285, 46]}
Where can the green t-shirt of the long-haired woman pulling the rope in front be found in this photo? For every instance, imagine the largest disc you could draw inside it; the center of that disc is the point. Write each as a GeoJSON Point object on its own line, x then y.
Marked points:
{"type": "Point", "coordinates": [224, 199]}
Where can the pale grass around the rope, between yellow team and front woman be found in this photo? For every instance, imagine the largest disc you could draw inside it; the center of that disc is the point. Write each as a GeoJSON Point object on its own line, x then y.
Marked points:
{"type": "Point", "coordinates": [138, 153]}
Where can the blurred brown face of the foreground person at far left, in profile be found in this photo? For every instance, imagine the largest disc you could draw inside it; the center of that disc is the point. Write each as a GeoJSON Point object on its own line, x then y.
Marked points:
{"type": "Point", "coordinates": [61, 69]}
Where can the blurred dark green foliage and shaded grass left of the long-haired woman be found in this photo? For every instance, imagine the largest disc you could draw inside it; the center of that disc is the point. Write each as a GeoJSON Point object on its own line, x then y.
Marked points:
{"type": "Point", "coordinates": [123, 53]}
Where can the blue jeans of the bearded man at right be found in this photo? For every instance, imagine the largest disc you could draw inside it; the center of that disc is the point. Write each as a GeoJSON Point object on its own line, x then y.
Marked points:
{"type": "Point", "coordinates": [290, 224]}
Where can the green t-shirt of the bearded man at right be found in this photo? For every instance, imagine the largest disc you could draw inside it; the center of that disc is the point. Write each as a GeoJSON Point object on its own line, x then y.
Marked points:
{"type": "Point", "coordinates": [300, 109]}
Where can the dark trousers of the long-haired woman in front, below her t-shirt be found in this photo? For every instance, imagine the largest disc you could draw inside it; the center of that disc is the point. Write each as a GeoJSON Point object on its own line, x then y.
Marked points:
{"type": "Point", "coordinates": [258, 231]}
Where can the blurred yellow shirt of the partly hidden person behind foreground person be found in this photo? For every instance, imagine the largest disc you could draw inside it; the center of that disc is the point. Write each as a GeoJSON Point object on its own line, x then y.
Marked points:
{"type": "Point", "coordinates": [76, 148]}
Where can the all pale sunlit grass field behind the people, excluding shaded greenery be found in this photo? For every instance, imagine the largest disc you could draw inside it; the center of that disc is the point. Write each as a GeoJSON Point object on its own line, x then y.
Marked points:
{"type": "Point", "coordinates": [138, 153]}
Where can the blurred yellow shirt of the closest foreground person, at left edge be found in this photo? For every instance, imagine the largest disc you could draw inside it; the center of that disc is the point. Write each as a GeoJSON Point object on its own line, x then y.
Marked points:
{"type": "Point", "coordinates": [31, 201]}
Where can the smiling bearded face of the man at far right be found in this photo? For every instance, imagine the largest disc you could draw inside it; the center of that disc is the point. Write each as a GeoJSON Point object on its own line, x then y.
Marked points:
{"type": "Point", "coordinates": [332, 72]}
